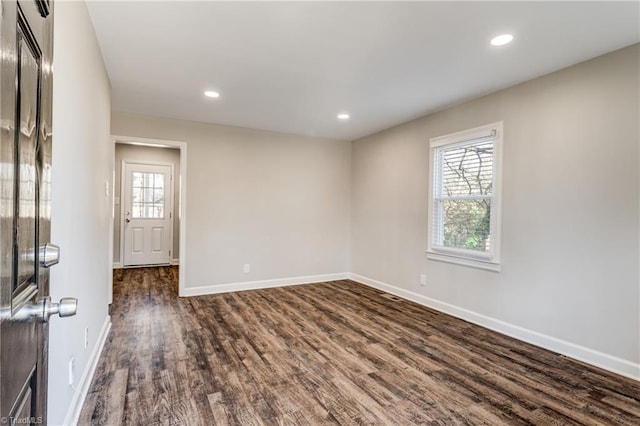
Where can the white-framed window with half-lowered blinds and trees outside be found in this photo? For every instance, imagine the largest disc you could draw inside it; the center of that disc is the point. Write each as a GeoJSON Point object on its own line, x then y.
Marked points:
{"type": "Point", "coordinates": [464, 212]}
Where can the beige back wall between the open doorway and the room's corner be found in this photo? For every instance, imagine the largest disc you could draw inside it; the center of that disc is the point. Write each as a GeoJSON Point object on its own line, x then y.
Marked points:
{"type": "Point", "coordinates": [277, 202]}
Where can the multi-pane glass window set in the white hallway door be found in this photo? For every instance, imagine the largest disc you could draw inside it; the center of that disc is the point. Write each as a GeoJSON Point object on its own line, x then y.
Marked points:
{"type": "Point", "coordinates": [147, 195]}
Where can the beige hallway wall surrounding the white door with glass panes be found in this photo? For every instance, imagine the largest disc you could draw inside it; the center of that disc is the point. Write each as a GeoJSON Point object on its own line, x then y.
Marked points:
{"type": "Point", "coordinates": [126, 152]}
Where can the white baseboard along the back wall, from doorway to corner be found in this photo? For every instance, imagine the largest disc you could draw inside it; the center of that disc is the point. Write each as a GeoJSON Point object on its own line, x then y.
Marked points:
{"type": "Point", "coordinates": [254, 285]}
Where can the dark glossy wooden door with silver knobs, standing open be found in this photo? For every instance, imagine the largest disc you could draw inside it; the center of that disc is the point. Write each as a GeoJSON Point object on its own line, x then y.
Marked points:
{"type": "Point", "coordinates": [26, 45]}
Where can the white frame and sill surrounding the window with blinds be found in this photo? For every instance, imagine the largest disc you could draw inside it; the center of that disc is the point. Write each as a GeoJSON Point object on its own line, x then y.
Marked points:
{"type": "Point", "coordinates": [489, 261]}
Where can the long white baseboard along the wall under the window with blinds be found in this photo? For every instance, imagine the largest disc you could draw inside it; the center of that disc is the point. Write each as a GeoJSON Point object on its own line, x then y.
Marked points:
{"type": "Point", "coordinates": [590, 356]}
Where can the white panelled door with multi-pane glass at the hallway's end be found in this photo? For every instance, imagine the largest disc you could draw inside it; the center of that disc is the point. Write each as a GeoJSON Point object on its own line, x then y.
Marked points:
{"type": "Point", "coordinates": [147, 216]}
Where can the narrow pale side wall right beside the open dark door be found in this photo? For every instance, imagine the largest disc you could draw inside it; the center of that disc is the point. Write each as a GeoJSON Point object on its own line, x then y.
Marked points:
{"type": "Point", "coordinates": [80, 208]}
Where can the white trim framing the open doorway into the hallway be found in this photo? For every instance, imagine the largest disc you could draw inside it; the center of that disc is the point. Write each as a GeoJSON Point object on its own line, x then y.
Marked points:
{"type": "Point", "coordinates": [182, 205]}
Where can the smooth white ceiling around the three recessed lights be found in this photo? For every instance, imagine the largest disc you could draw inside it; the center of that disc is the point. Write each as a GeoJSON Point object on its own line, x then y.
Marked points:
{"type": "Point", "coordinates": [293, 66]}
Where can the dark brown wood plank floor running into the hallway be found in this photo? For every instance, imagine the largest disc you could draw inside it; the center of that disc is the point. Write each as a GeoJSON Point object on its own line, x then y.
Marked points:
{"type": "Point", "coordinates": [331, 353]}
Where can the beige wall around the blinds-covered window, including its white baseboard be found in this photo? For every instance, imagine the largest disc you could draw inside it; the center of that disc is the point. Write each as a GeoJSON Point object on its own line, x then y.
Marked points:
{"type": "Point", "coordinates": [570, 212]}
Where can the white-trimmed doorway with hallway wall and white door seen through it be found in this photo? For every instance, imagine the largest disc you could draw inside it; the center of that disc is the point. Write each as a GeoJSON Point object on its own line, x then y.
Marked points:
{"type": "Point", "coordinates": [149, 204]}
